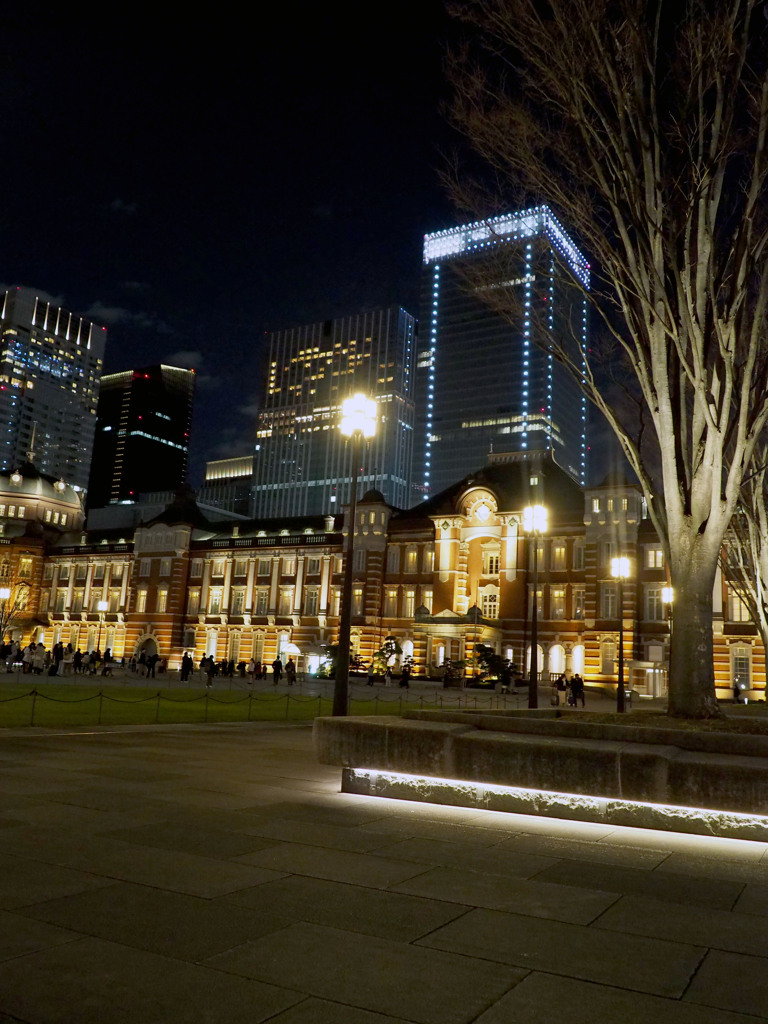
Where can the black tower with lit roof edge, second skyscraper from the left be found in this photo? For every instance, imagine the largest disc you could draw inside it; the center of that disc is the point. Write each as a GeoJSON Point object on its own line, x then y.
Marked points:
{"type": "Point", "coordinates": [143, 434]}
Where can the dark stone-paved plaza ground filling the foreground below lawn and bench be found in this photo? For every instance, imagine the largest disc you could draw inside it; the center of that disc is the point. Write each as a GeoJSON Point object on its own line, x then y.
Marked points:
{"type": "Point", "coordinates": [216, 875]}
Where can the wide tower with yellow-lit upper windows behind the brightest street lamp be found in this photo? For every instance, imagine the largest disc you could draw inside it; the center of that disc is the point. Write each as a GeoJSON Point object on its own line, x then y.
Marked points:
{"type": "Point", "coordinates": [303, 464]}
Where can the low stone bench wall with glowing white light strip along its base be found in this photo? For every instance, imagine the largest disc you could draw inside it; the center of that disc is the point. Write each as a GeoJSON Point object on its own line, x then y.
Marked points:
{"type": "Point", "coordinates": [619, 770]}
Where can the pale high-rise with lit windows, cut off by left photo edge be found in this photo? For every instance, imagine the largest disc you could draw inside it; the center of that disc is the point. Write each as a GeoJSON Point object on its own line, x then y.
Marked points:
{"type": "Point", "coordinates": [50, 377]}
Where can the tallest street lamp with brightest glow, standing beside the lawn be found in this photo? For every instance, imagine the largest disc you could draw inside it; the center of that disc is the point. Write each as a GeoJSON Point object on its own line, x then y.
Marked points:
{"type": "Point", "coordinates": [359, 424]}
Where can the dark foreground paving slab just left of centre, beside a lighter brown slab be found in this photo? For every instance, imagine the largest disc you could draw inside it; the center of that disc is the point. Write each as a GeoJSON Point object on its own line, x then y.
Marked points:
{"type": "Point", "coordinates": [356, 909]}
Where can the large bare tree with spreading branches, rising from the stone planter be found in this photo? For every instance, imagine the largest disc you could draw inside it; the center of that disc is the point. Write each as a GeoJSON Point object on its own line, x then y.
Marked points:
{"type": "Point", "coordinates": [644, 124]}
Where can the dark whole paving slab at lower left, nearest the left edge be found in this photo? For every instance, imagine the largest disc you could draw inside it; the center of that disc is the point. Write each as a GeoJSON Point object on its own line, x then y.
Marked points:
{"type": "Point", "coordinates": [166, 923]}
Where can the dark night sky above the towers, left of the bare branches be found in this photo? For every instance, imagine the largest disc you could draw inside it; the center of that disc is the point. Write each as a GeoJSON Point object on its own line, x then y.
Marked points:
{"type": "Point", "coordinates": [193, 181]}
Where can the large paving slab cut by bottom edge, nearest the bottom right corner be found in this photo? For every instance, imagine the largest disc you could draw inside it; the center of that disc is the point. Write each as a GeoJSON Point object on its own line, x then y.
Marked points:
{"type": "Point", "coordinates": [543, 998]}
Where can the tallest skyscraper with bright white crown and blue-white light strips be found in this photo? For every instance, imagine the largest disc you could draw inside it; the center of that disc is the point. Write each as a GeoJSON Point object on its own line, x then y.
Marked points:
{"type": "Point", "coordinates": [483, 383]}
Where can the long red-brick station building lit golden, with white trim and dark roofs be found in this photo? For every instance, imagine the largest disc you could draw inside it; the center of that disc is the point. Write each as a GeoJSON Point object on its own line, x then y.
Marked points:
{"type": "Point", "coordinates": [451, 573]}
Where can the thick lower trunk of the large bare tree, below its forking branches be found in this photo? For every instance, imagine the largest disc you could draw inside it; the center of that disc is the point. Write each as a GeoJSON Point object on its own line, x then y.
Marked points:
{"type": "Point", "coordinates": [692, 664]}
